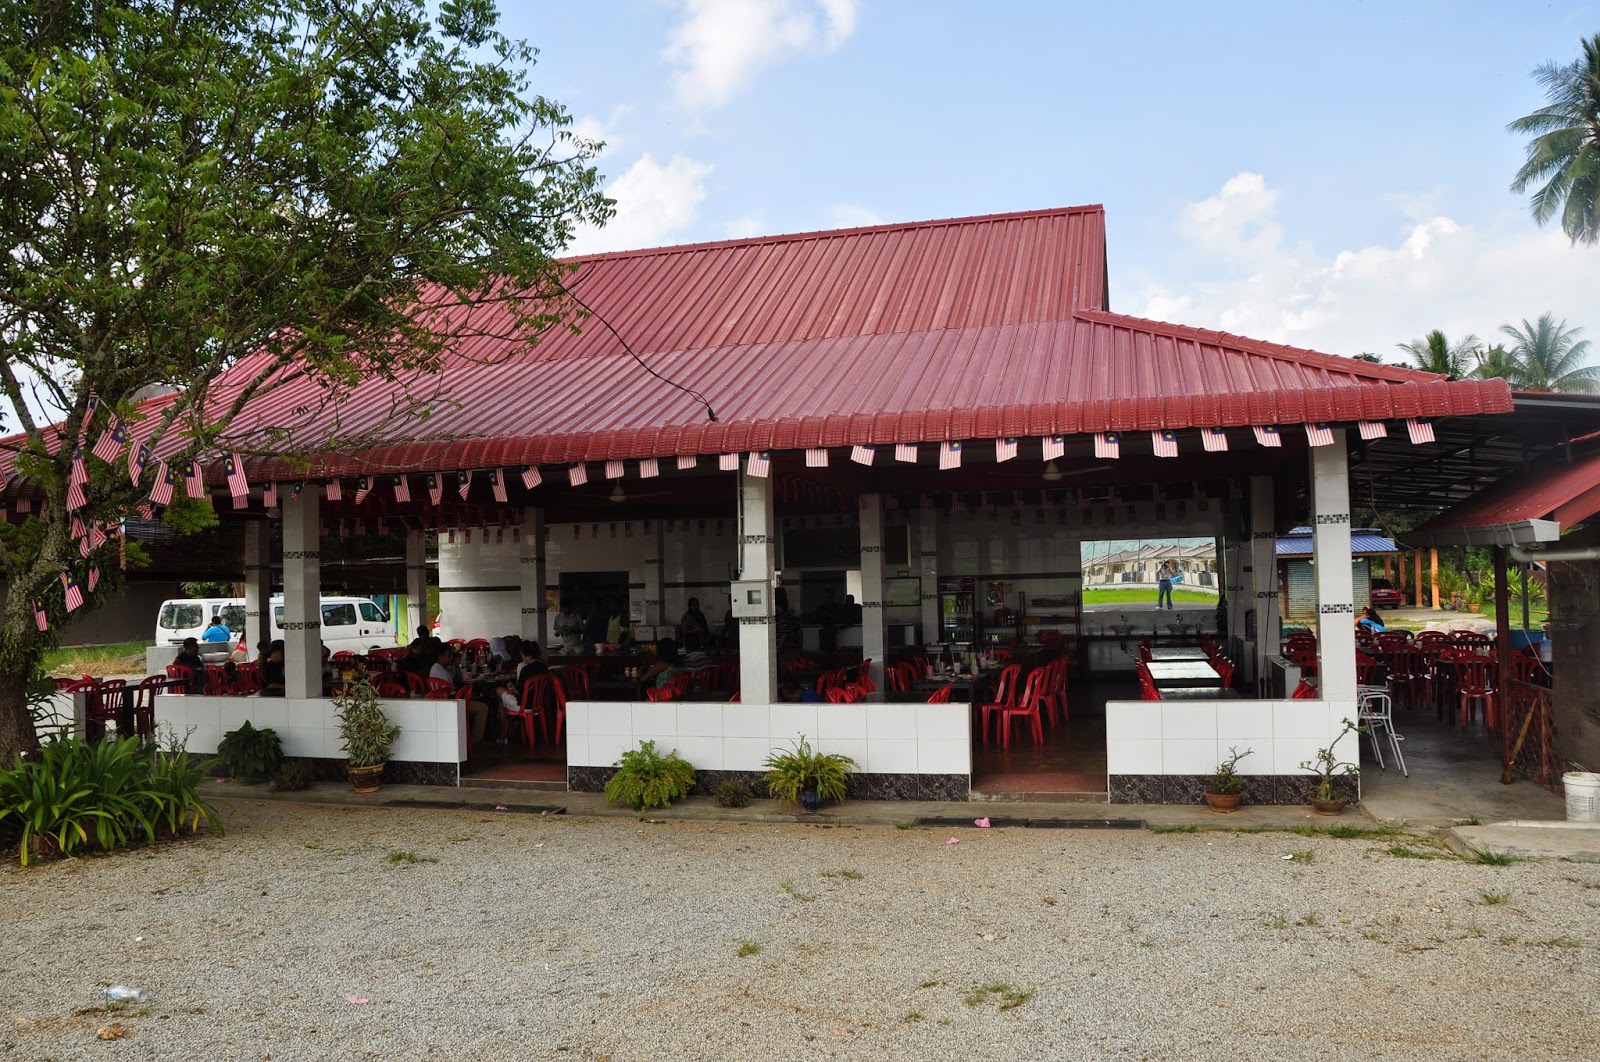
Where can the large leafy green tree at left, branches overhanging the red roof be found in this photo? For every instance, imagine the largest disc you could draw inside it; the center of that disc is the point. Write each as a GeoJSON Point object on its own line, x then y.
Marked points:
{"type": "Point", "coordinates": [286, 190]}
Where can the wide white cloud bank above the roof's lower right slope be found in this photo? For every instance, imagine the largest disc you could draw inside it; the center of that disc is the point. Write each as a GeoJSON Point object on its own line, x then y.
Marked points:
{"type": "Point", "coordinates": [1252, 279]}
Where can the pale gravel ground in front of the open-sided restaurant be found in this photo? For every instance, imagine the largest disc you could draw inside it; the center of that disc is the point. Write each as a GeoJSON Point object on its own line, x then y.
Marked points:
{"type": "Point", "coordinates": [526, 938]}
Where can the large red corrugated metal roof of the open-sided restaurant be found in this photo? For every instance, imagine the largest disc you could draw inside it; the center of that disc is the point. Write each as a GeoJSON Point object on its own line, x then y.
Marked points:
{"type": "Point", "coordinates": [964, 329]}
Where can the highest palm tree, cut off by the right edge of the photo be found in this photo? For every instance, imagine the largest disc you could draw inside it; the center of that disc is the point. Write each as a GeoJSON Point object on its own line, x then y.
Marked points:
{"type": "Point", "coordinates": [1564, 158]}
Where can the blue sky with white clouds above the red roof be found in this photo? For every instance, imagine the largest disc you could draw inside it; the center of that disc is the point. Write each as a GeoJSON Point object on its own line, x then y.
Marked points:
{"type": "Point", "coordinates": [1326, 175]}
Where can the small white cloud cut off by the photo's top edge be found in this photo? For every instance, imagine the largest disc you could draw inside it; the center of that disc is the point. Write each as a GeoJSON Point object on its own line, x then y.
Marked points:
{"type": "Point", "coordinates": [722, 44]}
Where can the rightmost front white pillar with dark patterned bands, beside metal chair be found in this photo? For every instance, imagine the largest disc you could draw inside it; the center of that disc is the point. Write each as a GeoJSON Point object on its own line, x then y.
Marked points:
{"type": "Point", "coordinates": [1330, 505]}
